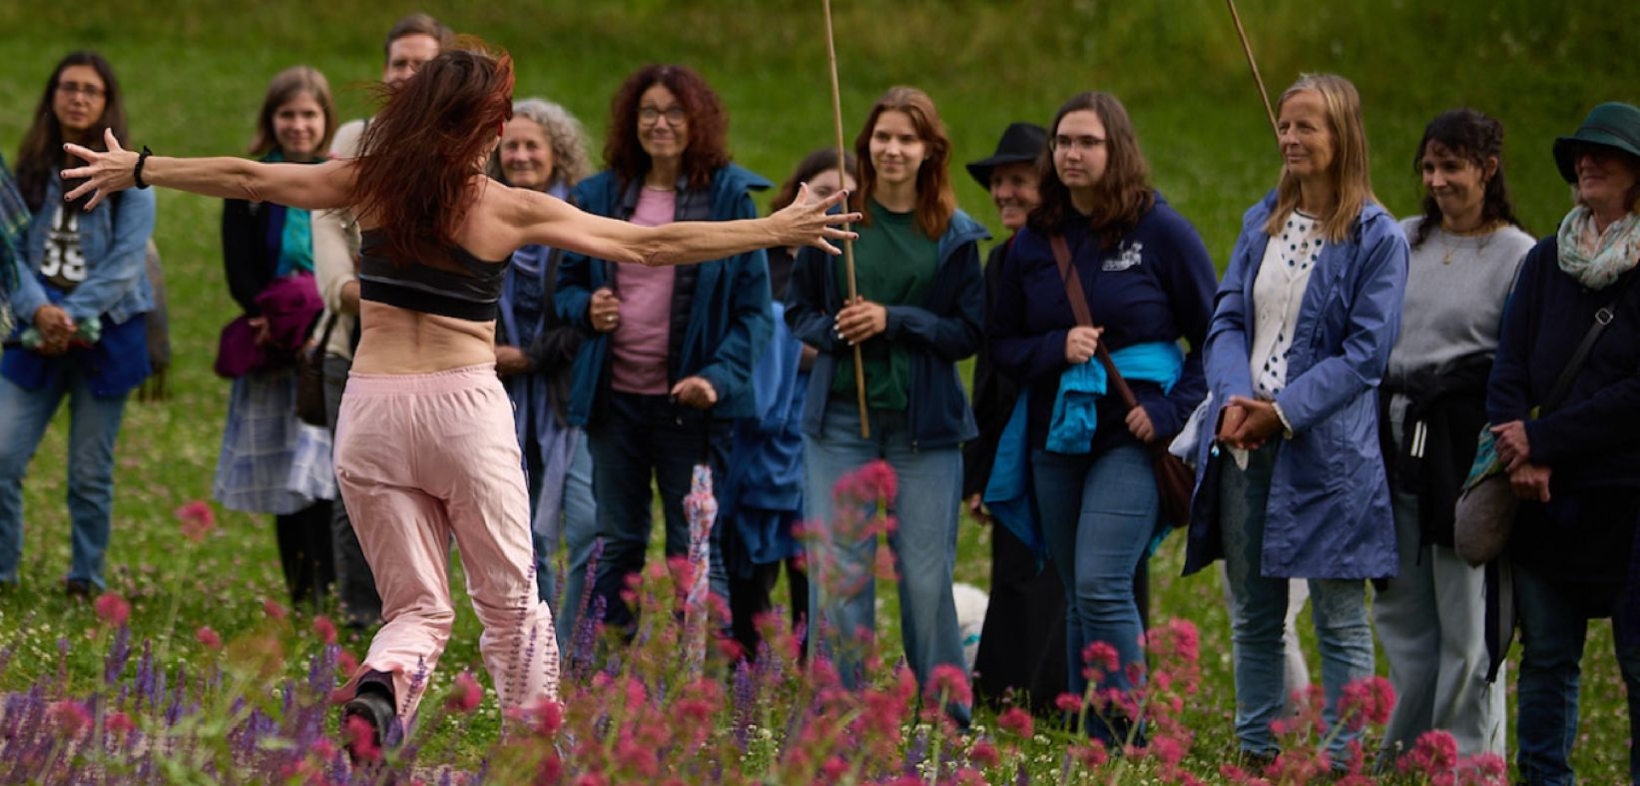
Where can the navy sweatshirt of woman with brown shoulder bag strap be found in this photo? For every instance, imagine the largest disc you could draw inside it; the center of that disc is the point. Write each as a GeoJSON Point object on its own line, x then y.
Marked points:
{"type": "Point", "coordinates": [1157, 285]}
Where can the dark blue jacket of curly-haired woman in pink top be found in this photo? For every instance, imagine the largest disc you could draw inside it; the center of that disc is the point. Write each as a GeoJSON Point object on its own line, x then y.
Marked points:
{"type": "Point", "coordinates": [729, 324]}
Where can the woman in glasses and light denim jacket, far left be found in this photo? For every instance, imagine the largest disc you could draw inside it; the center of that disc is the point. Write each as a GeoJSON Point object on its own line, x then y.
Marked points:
{"type": "Point", "coordinates": [81, 303]}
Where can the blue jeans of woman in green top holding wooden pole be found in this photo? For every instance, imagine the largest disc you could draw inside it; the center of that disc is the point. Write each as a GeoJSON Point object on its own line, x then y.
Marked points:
{"type": "Point", "coordinates": [924, 544]}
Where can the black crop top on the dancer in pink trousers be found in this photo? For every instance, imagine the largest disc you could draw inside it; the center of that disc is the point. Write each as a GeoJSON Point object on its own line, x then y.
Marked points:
{"type": "Point", "coordinates": [458, 286]}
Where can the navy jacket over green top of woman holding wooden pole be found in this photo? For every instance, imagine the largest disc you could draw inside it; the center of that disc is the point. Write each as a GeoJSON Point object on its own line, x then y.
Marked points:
{"type": "Point", "coordinates": [947, 327]}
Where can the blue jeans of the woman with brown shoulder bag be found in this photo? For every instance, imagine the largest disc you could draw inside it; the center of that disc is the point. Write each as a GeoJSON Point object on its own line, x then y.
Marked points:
{"type": "Point", "coordinates": [1098, 516]}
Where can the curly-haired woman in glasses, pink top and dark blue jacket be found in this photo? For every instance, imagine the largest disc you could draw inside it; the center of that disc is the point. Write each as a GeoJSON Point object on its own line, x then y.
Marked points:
{"type": "Point", "coordinates": [668, 363]}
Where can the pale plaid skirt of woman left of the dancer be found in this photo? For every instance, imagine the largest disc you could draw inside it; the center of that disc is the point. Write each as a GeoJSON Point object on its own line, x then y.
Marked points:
{"type": "Point", "coordinates": [271, 462]}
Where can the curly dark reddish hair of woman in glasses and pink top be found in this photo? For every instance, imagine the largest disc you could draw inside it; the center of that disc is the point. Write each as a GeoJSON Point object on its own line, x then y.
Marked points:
{"type": "Point", "coordinates": [708, 149]}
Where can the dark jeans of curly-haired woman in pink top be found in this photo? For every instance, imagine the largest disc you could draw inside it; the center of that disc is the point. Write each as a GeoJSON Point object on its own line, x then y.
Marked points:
{"type": "Point", "coordinates": [644, 437]}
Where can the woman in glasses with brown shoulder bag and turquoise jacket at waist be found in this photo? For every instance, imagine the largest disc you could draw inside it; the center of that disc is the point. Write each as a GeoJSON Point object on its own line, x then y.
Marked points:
{"type": "Point", "coordinates": [1149, 283]}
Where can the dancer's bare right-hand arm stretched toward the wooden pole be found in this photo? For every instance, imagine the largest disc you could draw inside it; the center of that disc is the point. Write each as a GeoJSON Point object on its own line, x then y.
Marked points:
{"type": "Point", "coordinates": [553, 222]}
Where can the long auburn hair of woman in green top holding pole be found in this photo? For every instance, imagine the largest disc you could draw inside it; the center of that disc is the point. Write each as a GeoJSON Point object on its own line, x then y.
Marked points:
{"type": "Point", "coordinates": [936, 198]}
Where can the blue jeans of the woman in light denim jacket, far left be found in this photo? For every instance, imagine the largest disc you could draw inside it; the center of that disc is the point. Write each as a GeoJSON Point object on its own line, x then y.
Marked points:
{"type": "Point", "coordinates": [94, 424]}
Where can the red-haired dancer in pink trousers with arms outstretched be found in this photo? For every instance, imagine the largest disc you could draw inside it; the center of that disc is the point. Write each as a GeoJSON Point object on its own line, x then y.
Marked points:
{"type": "Point", "coordinates": [426, 447]}
